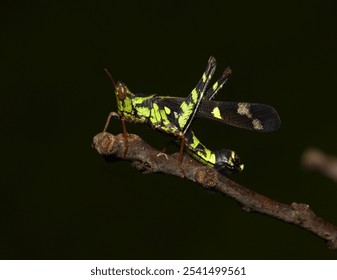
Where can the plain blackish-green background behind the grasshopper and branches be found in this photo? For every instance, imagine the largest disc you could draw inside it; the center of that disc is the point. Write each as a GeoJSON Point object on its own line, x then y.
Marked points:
{"type": "Point", "coordinates": [61, 200]}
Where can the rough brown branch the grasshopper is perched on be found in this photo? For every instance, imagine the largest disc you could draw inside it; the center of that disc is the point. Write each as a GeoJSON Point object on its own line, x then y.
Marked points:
{"type": "Point", "coordinates": [149, 160]}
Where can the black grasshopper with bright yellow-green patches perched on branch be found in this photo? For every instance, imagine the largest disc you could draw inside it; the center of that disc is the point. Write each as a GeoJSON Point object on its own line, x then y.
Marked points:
{"type": "Point", "coordinates": [174, 116]}
